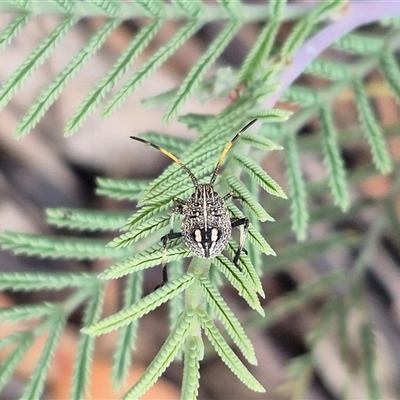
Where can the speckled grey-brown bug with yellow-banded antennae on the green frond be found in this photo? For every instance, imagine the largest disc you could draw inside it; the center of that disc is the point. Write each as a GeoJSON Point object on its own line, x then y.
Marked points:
{"type": "Point", "coordinates": [206, 223]}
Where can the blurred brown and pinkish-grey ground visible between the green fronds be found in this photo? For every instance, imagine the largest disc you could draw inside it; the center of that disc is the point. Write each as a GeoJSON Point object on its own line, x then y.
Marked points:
{"type": "Point", "coordinates": [44, 170]}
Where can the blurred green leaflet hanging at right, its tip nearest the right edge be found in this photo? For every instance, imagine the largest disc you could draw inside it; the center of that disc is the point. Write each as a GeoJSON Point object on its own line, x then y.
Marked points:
{"type": "Point", "coordinates": [372, 130]}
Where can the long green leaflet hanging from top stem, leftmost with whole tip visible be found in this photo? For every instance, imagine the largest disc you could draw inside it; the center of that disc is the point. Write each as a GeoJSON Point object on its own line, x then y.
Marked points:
{"type": "Point", "coordinates": [56, 87]}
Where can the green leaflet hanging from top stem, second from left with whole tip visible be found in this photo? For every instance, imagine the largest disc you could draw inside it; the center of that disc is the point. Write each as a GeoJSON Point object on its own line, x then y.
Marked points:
{"type": "Point", "coordinates": [99, 92]}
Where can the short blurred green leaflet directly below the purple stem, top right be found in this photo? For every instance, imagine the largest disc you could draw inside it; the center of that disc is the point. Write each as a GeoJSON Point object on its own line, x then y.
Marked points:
{"type": "Point", "coordinates": [360, 43]}
